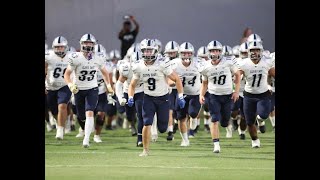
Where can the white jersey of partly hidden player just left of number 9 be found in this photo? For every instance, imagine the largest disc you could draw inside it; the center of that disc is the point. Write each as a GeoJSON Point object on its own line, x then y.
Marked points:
{"type": "Point", "coordinates": [125, 70]}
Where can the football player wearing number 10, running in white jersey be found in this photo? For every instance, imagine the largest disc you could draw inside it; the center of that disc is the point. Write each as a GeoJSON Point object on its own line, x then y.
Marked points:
{"type": "Point", "coordinates": [217, 79]}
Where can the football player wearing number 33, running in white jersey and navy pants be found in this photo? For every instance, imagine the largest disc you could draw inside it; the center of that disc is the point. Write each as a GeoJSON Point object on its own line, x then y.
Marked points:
{"type": "Point", "coordinates": [86, 63]}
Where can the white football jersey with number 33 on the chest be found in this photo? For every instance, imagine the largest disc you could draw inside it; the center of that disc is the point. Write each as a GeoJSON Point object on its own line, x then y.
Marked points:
{"type": "Point", "coordinates": [86, 70]}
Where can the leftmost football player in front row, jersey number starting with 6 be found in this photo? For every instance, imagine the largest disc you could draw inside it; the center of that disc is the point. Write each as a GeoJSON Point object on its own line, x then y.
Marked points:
{"type": "Point", "coordinates": [58, 93]}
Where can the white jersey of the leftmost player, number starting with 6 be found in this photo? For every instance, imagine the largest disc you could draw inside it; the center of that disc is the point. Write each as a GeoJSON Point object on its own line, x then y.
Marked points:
{"type": "Point", "coordinates": [56, 68]}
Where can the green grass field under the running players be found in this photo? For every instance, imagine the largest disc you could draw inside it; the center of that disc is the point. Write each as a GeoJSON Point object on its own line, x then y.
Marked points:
{"type": "Point", "coordinates": [117, 157]}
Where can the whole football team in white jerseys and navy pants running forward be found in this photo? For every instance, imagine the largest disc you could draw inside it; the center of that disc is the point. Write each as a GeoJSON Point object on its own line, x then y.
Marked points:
{"type": "Point", "coordinates": [161, 92]}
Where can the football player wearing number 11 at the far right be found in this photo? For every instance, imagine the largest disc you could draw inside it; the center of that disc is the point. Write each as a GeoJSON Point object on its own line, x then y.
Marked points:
{"type": "Point", "coordinates": [256, 100]}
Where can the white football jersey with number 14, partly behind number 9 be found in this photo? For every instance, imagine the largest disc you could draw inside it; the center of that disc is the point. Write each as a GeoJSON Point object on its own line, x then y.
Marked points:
{"type": "Point", "coordinates": [190, 76]}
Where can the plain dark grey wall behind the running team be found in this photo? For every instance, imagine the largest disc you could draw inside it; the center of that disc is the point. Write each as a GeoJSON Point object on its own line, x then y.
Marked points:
{"type": "Point", "coordinates": [196, 21]}
